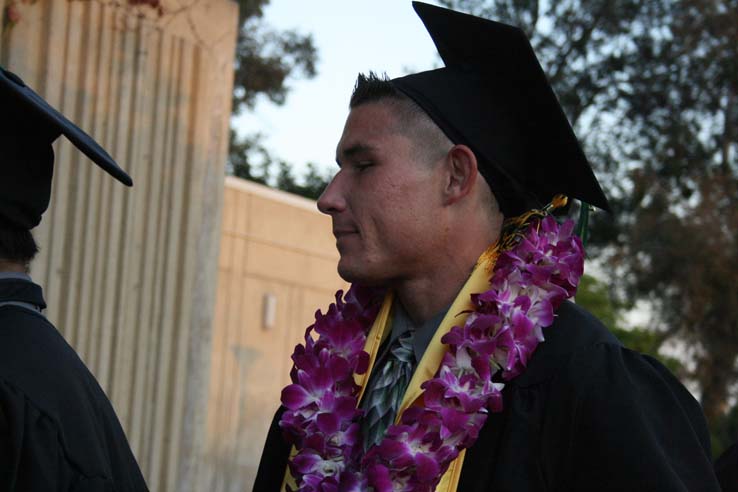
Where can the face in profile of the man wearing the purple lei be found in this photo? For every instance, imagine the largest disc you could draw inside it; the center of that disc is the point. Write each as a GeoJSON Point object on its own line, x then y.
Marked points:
{"type": "Point", "coordinates": [385, 201]}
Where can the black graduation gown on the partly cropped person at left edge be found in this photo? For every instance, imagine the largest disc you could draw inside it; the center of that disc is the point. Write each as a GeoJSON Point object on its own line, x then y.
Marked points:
{"type": "Point", "coordinates": [58, 431]}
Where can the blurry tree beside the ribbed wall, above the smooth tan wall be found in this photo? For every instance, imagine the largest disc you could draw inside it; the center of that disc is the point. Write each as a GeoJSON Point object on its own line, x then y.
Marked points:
{"type": "Point", "coordinates": [265, 61]}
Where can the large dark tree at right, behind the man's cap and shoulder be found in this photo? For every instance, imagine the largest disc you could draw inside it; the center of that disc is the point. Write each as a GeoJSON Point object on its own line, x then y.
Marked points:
{"type": "Point", "coordinates": [651, 89]}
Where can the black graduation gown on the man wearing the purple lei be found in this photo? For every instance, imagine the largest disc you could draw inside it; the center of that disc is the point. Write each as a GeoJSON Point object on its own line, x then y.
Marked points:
{"type": "Point", "coordinates": [587, 415]}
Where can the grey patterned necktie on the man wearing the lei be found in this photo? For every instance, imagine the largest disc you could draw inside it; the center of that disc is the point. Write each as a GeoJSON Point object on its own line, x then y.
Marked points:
{"type": "Point", "coordinates": [386, 389]}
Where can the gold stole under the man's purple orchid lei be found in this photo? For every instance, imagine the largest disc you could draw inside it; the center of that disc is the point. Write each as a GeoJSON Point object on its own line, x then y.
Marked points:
{"type": "Point", "coordinates": [456, 316]}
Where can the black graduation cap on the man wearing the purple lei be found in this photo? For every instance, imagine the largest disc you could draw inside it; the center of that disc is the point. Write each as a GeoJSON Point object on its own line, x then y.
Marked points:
{"type": "Point", "coordinates": [493, 96]}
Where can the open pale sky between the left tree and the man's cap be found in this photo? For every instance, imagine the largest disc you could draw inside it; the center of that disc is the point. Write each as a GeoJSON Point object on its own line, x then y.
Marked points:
{"type": "Point", "coordinates": [351, 37]}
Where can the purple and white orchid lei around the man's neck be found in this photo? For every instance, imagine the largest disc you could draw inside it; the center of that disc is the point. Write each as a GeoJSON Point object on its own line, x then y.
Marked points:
{"type": "Point", "coordinates": [529, 282]}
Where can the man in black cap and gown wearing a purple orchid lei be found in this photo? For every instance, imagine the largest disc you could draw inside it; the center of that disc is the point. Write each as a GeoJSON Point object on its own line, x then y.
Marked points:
{"type": "Point", "coordinates": [434, 168]}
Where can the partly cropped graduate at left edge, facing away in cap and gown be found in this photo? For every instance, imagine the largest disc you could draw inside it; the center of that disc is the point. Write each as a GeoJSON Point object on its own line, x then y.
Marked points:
{"type": "Point", "coordinates": [58, 431]}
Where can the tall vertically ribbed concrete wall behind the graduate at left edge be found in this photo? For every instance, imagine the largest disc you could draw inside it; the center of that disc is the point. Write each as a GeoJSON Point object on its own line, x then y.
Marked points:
{"type": "Point", "coordinates": [130, 274]}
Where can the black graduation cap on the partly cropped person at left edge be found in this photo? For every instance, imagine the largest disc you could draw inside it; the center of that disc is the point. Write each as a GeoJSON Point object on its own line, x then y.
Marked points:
{"type": "Point", "coordinates": [28, 127]}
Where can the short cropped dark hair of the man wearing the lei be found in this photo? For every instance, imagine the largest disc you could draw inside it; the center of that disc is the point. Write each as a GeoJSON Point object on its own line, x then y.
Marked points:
{"type": "Point", "coordinates": [414, 121]}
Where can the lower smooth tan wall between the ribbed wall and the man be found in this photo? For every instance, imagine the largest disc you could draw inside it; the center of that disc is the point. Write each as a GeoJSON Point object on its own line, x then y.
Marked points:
{"type": "Point", "coordinates": [273, 245]}
